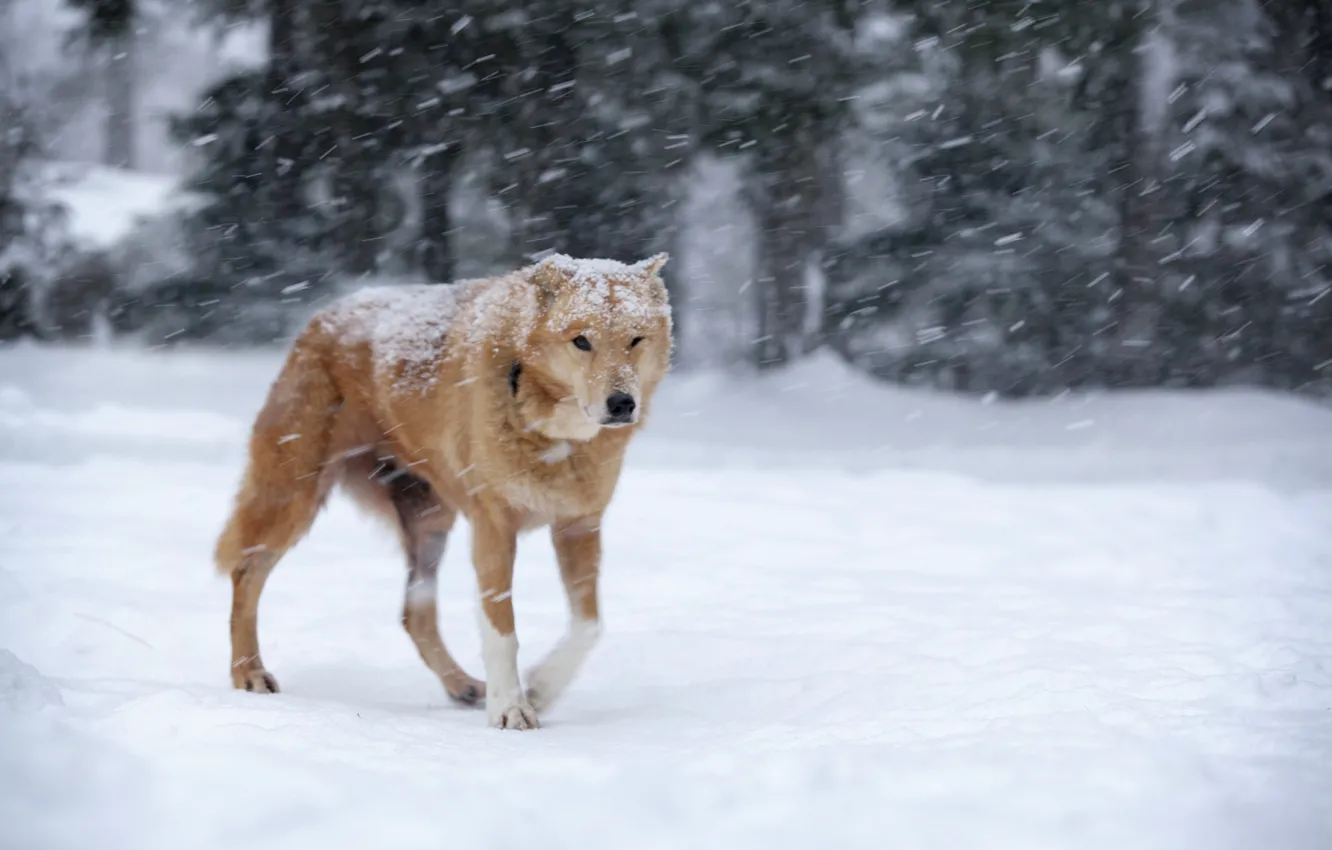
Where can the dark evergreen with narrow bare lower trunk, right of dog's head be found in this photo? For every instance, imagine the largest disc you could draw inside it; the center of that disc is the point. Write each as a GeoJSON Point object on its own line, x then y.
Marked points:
{"type": "Point", "coordinates": [771, 81]}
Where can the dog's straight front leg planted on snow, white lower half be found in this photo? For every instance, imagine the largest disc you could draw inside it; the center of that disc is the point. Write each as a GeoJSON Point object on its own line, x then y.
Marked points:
{"type": "Point", "coordinates": [494, 550]}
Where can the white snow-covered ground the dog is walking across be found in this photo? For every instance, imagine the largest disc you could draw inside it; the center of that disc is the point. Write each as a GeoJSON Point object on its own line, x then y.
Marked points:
{"type": "Point", "coordinates": [838, 616]}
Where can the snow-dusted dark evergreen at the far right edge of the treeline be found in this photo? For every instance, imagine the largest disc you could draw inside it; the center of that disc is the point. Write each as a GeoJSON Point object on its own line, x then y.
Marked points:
{"type": "Point", "coordinates": [1253, 139]}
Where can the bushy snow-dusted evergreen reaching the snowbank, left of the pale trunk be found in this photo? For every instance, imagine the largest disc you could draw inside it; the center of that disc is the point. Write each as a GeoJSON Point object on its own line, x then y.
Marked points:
{"type": "Point", "coordinates": [1000, 275]}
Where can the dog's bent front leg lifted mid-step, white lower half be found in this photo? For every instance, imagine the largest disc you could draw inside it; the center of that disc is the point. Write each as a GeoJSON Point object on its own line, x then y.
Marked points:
{"type": "Point", "coordinates": [579, 550]}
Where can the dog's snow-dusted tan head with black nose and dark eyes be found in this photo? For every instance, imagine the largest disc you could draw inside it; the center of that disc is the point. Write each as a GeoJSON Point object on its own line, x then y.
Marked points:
{"type": "Point", "coordinates": [600, 346]}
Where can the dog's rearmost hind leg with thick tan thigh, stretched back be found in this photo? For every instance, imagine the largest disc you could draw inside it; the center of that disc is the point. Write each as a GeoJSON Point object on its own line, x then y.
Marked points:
{"type": "Point", "coordinates": [286, 483]}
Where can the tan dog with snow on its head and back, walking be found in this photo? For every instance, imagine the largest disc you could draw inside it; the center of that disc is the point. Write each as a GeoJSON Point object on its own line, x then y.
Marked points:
{"type": "Point", "coordinates": [509, 400]}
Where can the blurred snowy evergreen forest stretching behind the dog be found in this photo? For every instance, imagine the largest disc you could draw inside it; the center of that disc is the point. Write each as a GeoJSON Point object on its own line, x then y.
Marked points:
{"type": "Point", "coordinates": [989, 197]}
